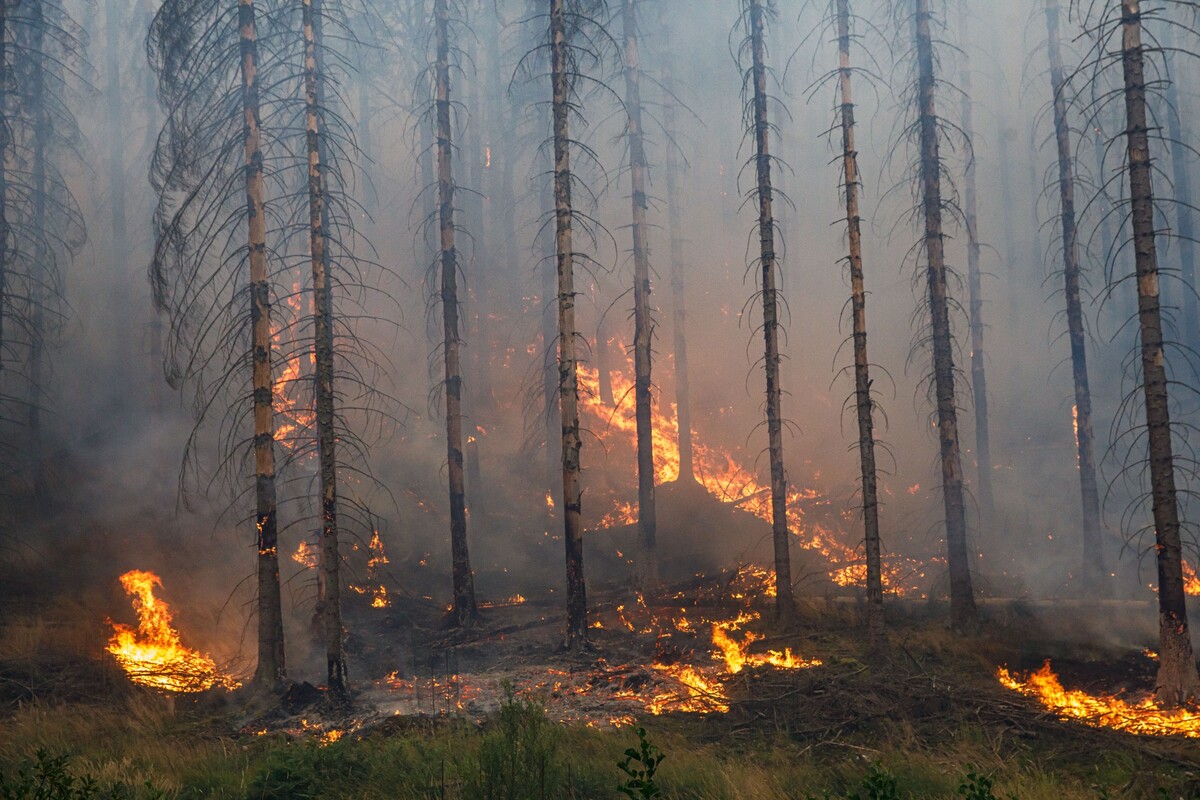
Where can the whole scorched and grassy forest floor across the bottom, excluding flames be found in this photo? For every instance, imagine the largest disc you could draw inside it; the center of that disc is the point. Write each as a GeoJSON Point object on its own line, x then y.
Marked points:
{"type": "Point", "coordinates": [929, 721]}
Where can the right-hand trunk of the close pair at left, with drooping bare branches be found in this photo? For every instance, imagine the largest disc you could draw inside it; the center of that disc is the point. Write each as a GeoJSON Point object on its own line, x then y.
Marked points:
{"type": "Point", "coordinates": [323, 346]}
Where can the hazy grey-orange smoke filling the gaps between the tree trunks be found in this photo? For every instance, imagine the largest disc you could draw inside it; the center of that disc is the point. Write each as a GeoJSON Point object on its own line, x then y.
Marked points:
{"type": "Point", "coordinates": [119, 431]}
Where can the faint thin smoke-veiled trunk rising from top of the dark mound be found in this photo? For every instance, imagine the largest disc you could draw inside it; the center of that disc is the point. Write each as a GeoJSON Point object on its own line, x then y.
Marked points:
{"type": "Point", "coordinates": [679, 288]}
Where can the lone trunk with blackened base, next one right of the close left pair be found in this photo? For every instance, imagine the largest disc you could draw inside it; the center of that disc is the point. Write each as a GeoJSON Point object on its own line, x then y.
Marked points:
{"type": "Point", "coordinates": [465, 610]}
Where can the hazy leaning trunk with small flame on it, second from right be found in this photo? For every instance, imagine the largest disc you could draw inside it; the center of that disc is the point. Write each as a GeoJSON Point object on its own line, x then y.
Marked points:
{"type": "Point", "coordinates": [1094, 546]}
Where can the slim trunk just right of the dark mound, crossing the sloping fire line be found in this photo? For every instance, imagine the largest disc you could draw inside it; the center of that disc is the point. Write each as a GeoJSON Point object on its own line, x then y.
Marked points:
{"type": "Point", "coordinates": [785, 606]}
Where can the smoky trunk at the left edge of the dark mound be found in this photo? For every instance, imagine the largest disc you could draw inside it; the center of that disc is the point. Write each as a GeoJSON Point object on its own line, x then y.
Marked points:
{"type": "Point", "coordinates": [644, 321]}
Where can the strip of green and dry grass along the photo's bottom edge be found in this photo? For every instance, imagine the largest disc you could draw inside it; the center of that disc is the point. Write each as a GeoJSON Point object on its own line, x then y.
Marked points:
{"type": "Point", "coordinates": [146, 751]}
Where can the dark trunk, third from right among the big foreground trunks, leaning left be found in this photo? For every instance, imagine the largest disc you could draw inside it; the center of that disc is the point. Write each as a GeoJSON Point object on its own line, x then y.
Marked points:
{"type": "Point", "coordinates": [964, 616]}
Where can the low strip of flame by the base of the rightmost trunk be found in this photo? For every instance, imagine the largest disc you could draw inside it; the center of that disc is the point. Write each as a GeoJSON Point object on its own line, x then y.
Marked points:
{"type": "Point", "coordinates": [1145, 718]}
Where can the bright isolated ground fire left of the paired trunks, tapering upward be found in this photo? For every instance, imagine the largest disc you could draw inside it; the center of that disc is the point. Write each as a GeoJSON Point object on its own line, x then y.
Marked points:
{"type": "Point", "coordinates": [152, 654]}
